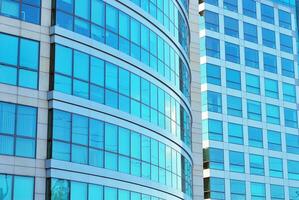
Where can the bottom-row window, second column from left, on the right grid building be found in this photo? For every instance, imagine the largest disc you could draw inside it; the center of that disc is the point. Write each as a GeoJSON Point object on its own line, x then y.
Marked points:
{"type": "Point", "coordinates": [237, 189]}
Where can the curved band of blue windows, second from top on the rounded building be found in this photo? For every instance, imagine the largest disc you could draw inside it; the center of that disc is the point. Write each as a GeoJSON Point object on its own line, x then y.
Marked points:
{"type": "Point", "coordinates": [109, 25]}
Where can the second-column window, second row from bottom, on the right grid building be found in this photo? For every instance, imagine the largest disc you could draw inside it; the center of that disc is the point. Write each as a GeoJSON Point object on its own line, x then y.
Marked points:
{"type": "Point", "coordinates": [236, 162]}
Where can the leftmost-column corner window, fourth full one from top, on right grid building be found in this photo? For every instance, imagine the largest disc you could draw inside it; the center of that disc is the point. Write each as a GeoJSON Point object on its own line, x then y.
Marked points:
{"type": "Point", "coordinates": [211, 101]}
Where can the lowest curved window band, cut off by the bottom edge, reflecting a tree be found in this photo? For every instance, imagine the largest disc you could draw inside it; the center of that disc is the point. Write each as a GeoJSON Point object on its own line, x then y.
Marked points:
{"type": "Point", "coordinates": [72, 190]}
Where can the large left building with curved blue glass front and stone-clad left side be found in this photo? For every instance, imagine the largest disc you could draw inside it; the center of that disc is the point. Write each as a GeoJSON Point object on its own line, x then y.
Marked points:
{"type": "Point", "coordinates": [95, 99]}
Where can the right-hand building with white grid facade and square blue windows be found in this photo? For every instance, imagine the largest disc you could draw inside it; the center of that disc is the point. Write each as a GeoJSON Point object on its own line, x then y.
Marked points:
{"type": "Point", "coordinates": [249, 85]}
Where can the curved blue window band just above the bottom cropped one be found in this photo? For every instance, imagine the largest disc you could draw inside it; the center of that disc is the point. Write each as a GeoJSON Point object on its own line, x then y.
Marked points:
{"type": "Point", "coordinates": [93, 142]}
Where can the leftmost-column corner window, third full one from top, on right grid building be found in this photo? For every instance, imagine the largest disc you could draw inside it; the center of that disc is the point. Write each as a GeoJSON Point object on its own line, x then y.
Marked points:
{"type": "Point", "coordinates": [211, 74]}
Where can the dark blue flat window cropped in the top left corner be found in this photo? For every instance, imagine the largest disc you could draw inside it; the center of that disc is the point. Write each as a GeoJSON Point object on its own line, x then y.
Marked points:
{"type": "Point", "coordinates": [26, 10]}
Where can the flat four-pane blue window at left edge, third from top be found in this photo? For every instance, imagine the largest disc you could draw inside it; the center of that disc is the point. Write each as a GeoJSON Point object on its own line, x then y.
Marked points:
{"type": "Point", "coordinates": [18, 126]}
